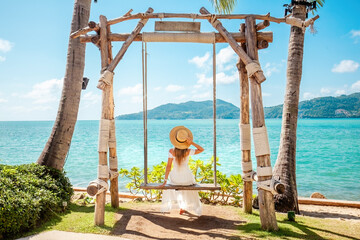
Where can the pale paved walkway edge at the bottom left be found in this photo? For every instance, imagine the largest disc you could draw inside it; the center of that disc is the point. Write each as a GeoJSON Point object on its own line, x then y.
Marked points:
{"type": "Point", "coordinates": [60, 235]}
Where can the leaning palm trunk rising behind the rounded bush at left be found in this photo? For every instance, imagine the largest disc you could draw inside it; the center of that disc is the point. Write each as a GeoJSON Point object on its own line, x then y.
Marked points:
{"type": "Point", "coordinates": [57, 147]}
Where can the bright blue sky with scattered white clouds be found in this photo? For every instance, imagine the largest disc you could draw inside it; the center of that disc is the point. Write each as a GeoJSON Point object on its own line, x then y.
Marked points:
{"type": "Point", "coordinates": [34, 41]}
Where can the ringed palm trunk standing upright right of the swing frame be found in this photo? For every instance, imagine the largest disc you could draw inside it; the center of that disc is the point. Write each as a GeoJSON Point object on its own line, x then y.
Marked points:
{"type": "Point", "coordinates": [285, 166]}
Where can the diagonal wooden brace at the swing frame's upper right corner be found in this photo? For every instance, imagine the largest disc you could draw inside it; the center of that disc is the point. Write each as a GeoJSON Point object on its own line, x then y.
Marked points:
{"type": "Point", "coordinates": [259, 75]}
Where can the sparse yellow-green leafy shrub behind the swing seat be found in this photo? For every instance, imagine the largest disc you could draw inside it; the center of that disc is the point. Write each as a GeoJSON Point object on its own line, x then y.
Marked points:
{"type": "Point", "coordinates": [231, 187]}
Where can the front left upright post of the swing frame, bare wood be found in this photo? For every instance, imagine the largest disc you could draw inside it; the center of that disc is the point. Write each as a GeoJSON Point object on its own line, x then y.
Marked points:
{"type": "Point", "coordinates": [105, 114]}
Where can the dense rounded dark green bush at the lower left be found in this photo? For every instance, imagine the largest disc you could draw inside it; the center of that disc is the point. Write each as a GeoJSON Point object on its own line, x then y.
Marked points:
{"type": "Point", "coordinates": [28, 193]}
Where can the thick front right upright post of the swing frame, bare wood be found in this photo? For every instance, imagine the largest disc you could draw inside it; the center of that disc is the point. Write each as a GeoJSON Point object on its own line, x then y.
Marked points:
{"type": "Point", "coordinates": [266, 199]}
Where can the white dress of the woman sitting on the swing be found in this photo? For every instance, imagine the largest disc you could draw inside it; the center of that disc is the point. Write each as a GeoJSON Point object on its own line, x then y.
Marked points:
{"type": "Point", "coordinates": [185, 199]}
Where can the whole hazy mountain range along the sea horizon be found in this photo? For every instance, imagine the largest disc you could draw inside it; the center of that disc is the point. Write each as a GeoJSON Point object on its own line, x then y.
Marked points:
{"type": "Point", "coordinates": [344, 106]}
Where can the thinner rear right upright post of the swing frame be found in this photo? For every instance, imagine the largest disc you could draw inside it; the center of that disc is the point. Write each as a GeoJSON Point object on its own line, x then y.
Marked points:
{"type": "Point", "coordinates": [245, 119]}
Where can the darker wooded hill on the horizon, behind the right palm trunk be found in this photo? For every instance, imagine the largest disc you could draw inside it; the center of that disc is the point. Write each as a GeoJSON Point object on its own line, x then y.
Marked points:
{"type": "Point", "coordinates": [344, 106]}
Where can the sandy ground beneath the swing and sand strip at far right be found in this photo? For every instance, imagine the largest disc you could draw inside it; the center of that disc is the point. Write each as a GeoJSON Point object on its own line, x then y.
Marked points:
{"type": "Point", "coordinates": [145, 221]}
